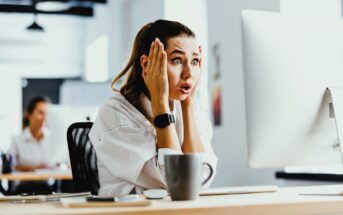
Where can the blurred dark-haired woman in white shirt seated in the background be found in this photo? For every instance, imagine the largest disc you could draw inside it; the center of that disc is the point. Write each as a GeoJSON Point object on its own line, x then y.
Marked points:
{"type": "Point", "coordinates": [30, 149]}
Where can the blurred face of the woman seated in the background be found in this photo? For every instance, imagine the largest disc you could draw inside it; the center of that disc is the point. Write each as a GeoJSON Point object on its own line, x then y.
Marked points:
{"type": "Point", "coordinates": [38, 116]}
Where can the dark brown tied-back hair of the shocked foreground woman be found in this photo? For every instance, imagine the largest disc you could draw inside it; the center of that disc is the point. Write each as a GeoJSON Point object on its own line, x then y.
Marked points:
{"type": "Point", "coordinates": [134, 84]}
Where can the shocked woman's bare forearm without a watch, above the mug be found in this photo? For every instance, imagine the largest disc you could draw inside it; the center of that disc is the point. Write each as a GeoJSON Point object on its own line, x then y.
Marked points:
{"type": "Point", "coordinates": [192, 141]}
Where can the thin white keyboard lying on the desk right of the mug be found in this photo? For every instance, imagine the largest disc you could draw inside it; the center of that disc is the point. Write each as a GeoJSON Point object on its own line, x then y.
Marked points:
{"type": "Point", "coordinates": [239, 190]}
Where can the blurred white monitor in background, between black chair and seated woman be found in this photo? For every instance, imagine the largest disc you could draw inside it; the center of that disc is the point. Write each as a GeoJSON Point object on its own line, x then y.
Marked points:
{"type": "Point", "coordinates": [60, 117]}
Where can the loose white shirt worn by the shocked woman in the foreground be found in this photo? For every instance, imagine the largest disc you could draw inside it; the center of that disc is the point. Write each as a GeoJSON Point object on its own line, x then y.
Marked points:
{"type": "Point", "coordinates": [125, 145]}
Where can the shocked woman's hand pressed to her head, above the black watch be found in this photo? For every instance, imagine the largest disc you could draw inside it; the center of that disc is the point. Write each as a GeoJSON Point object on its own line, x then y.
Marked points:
{"type": "Point", "coordinates": [156, 78]}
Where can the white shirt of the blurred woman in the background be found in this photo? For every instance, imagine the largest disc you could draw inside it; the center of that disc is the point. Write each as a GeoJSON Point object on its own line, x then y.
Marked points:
{"type": "Point", "coordinates": [26, 150]}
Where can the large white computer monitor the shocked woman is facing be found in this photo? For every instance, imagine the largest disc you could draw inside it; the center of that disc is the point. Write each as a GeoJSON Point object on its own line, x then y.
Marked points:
{"type": "Point", "coordinates": [288, 64]}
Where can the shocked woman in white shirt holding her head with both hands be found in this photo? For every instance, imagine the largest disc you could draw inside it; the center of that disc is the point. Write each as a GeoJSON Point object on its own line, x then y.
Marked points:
{"type": "Point", "coordinates": [154, 113]}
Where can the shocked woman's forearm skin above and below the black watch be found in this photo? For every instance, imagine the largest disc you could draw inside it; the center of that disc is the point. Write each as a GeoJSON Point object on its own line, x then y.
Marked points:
{"type": "Point", "coordinates": [166, 137]}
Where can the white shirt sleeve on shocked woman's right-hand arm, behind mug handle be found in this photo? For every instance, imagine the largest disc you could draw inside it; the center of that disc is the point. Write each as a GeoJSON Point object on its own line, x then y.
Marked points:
{"type": "Point", "coordinates": [205, 130]}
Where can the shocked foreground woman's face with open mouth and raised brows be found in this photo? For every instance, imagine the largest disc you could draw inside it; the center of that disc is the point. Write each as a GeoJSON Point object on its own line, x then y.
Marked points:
{"type": "Point", "coordinates": [183, 55]}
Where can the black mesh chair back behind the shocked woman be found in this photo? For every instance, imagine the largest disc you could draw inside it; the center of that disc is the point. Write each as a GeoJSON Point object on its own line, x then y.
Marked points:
{"type": "Point", "coordinates": [82, 158]}
